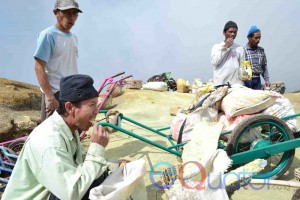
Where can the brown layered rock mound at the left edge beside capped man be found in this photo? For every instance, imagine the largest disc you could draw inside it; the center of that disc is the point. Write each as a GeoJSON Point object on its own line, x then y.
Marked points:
{"type": "Point", "coordinates": [19, 109]}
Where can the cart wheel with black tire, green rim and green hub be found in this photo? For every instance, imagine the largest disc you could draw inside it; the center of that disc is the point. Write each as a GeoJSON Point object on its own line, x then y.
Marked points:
{"type": "Point", "coordinates": [260, 131]}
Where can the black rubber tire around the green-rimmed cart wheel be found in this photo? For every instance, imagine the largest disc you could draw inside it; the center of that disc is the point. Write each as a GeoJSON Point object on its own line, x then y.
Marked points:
{"type": "Point", "coordinates": [243, 125]}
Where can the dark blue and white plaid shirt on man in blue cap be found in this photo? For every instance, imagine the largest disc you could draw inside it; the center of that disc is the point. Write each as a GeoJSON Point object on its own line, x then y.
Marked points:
{"type": "Point", "coordinates": [258, 61]}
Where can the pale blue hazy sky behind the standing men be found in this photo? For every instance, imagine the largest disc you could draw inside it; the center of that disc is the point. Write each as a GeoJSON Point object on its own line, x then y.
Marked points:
{"type": "Point", "coordinates": [149, 37]}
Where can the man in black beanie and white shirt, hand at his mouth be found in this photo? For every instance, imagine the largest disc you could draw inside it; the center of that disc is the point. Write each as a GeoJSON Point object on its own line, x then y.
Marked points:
{"type": "Point", "coordinates": [226, 57]}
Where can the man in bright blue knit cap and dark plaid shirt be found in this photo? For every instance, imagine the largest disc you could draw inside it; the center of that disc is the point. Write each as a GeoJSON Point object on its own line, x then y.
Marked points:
{"type": "Point", "coordinates": [257, 58]}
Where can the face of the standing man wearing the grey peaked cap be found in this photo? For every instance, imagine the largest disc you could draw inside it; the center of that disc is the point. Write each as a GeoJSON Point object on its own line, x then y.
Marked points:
{"type": "Point", "coordinates": [66, 19]}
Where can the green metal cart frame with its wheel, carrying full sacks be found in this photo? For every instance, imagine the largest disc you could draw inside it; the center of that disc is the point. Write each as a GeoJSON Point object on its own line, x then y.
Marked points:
{"type": "Point", "coordinates": [273, 141]}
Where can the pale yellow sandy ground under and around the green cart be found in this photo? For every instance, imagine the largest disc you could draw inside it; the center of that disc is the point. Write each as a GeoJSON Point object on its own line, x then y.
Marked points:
{"type": "Point", "coordinates": [153, 109]}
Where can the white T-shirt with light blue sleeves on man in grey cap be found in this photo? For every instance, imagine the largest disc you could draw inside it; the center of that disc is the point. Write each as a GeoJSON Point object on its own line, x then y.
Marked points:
{"type": "Point", "coordinates": [60, 51]}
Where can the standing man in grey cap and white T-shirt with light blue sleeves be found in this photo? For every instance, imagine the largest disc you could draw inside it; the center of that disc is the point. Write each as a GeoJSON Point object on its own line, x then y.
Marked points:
{"type": "Point", "coordinates": [56, 54]}
